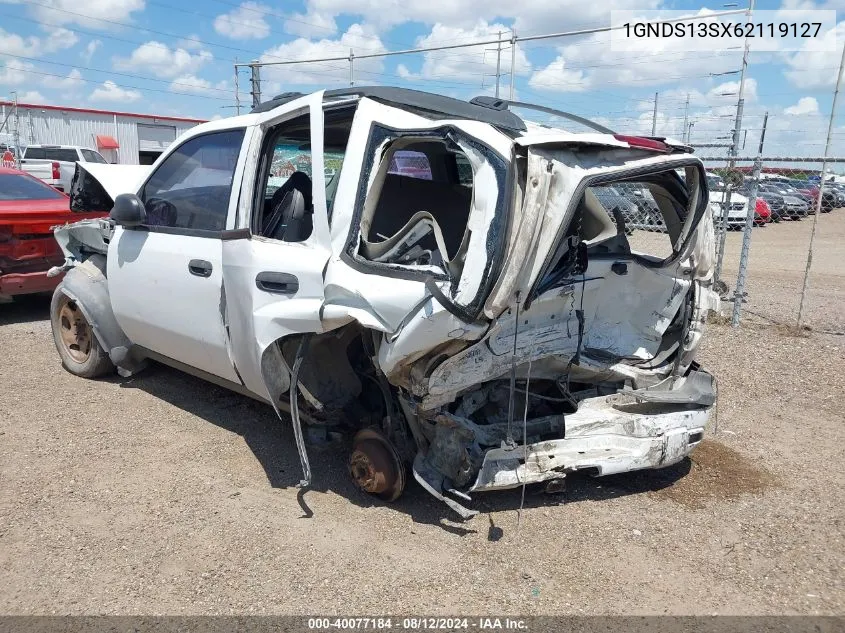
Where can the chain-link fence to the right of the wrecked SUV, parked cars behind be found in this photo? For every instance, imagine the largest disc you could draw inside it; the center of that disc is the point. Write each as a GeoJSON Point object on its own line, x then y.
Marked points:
{"type": "Point", "coordinates": [764, 240]}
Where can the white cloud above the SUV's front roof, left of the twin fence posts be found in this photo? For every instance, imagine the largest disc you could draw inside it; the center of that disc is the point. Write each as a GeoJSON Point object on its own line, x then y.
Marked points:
{"type": "Point", "coordinates": [366, 70]}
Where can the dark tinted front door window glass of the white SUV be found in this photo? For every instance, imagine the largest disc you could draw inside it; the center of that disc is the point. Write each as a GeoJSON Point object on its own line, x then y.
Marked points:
{"type": "Point", "coordinates": [192, 187]}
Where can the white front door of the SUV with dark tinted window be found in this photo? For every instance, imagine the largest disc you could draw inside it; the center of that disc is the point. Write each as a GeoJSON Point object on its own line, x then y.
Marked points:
{"type": "Point", "coordinates": [166, 277]}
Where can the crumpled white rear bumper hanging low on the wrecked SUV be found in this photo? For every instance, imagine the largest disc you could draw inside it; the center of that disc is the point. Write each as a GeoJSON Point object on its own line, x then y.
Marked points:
{"type": "Point", "coordinates": [607, 435]}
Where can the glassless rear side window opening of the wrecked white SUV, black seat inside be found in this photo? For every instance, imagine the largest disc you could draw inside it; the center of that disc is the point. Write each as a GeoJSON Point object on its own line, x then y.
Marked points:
{"type": "Point", "coordinates": [418, 208]}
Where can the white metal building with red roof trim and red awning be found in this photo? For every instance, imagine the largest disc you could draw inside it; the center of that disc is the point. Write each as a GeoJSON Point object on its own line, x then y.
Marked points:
{"type": "Point", "coordinates": [122, 137]}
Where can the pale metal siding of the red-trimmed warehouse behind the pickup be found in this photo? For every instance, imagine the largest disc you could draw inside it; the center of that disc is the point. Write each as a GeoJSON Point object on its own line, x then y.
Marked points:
{"type": "Point", "coordinates": [61, 127]}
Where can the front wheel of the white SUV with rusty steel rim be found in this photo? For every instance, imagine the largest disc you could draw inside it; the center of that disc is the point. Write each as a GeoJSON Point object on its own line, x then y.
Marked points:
{"type": "Point", "coordinates": [78, 348]}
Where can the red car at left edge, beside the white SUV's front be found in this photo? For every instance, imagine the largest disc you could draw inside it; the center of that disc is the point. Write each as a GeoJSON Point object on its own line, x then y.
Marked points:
{"type": "Point", "coordinates": [28, 210]}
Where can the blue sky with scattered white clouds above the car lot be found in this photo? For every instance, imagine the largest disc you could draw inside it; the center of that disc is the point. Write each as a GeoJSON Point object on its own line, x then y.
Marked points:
{"type": "Point", "coordinates": [176, 57]}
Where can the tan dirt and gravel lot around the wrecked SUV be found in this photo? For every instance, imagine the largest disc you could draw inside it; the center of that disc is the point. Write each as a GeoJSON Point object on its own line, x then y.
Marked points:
{"type": "Point", "coordinates": [164, 495]}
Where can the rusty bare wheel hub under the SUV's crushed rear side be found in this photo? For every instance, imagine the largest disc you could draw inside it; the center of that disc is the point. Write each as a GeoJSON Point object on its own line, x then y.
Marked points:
{"type": "Point", "coordinates": [375, 466]}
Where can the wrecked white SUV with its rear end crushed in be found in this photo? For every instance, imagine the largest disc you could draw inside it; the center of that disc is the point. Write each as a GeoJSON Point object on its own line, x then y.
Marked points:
{"type": "Point", "coordinates": [438, 279]}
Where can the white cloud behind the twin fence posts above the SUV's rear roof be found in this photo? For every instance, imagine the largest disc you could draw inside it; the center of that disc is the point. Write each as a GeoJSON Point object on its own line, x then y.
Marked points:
{"type": "Point", "coordinates": [471, 64]}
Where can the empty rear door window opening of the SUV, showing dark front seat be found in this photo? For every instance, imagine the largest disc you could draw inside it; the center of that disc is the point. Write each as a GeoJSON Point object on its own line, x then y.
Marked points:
{"type": "Point", "coordinates": [284, 207]}
